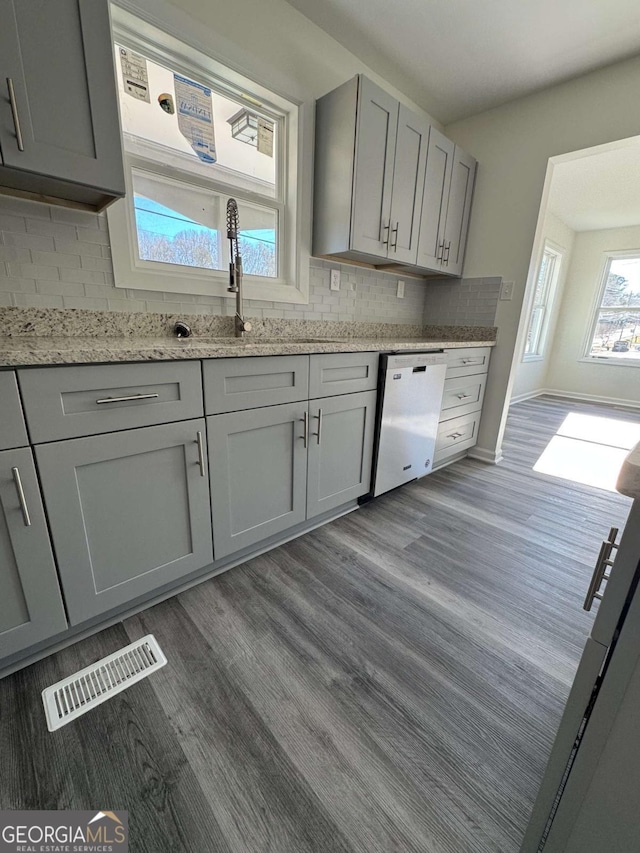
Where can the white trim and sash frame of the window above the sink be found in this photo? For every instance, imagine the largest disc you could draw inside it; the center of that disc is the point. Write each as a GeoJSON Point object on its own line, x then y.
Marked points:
{"type": "Point", "coordinates": [129, 271]}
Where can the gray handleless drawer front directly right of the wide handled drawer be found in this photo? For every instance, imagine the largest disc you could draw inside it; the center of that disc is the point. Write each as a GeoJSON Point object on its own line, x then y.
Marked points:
{"type": "Point", "coordinates": [233, 384]}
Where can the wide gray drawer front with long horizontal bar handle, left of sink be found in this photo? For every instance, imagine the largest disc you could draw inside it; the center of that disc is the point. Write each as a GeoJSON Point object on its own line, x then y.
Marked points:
{"type": "Point", "coordinates": [68, 402]}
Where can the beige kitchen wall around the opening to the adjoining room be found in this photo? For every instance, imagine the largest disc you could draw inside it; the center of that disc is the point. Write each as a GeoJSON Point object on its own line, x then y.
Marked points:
{"type": "Point", "coordinates": [513, 144]}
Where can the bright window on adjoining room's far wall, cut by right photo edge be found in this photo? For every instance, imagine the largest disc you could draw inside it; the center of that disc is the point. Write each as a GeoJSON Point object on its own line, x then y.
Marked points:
{"type": "Point", "coordinates": [615, 331]}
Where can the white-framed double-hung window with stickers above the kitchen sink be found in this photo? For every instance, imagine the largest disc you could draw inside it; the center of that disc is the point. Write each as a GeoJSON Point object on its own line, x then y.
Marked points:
{"type": "Point", "coordinates": [196, 134]}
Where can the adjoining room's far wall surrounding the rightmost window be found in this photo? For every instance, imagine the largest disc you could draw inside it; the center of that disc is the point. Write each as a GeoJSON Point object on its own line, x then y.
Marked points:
{"type": "Point", "coordinates": [566, 372]}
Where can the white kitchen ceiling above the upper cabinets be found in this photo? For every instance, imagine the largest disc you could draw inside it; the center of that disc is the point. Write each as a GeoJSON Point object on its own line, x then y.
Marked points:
{"type": "Point", "coordinates": [456, 58]}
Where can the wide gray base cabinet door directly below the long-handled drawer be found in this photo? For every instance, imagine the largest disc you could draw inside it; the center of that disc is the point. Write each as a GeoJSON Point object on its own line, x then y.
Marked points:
{"type": "Point", "coordinates": [129, 512]}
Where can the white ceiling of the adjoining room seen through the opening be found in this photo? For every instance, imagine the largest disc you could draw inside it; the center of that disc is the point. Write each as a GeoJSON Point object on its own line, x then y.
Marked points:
{"type": "Point", "coordinates": [598, 191]}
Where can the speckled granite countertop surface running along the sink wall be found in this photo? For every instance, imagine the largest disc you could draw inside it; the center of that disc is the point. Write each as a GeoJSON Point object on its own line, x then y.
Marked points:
{"type": "Point", "coordinates": [26, 350]}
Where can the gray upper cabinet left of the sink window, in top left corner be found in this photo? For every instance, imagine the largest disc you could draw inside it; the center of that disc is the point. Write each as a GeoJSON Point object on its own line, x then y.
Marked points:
{"type": "Point", "coordinates": [59, 124]}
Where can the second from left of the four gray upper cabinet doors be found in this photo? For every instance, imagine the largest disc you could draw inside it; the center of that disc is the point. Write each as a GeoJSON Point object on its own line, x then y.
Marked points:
{"type": "Point", "coordinates": [408, 186]}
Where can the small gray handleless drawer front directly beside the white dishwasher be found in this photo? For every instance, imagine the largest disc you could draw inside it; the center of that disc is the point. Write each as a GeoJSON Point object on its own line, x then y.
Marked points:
{"type": "Point", "coordinates": [342, 373]}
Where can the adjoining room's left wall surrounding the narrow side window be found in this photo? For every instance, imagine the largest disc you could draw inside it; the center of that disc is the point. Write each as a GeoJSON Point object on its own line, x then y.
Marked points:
{"type": "Point", "coordinates": [531, 375]}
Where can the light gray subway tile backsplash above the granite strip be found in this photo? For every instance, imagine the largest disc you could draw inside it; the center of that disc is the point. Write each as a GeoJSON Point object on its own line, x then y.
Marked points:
{"type": "Point", "coordinates": [55, 257]}
